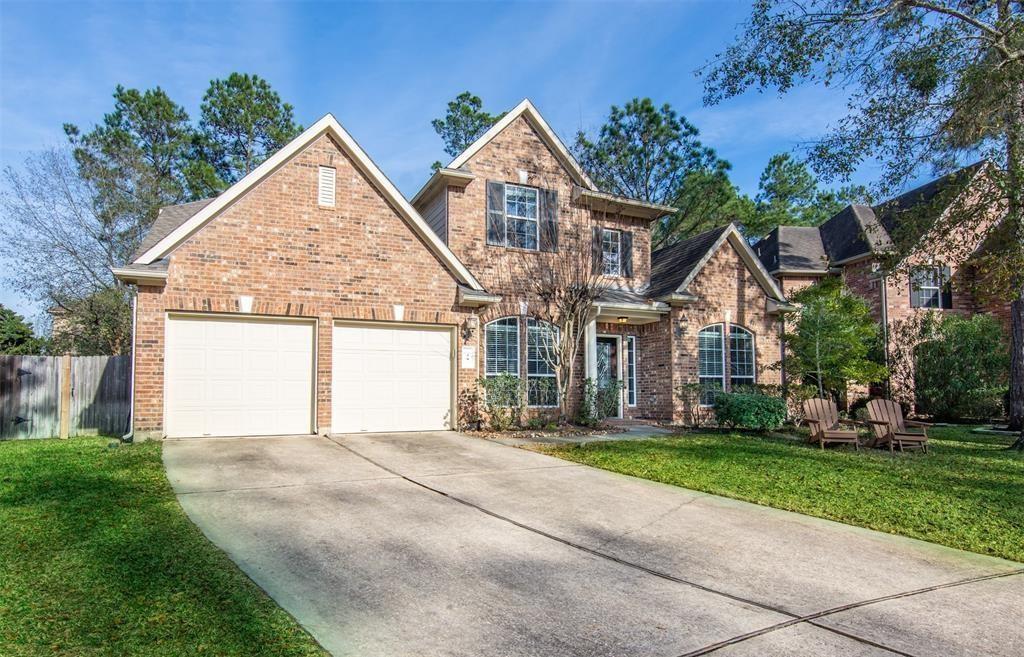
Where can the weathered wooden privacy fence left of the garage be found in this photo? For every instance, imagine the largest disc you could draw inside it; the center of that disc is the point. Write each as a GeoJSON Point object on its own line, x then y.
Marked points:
{"type": "Point", "coordinates": [50, 397]}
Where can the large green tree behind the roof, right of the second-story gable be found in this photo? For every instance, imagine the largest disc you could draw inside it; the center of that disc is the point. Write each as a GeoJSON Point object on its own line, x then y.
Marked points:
{"type": "Point", "coordinates": [654, 154]}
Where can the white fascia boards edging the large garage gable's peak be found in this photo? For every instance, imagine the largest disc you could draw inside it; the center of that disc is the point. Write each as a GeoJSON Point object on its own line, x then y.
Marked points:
{"type": "Point", "coordinates": [327, 125]}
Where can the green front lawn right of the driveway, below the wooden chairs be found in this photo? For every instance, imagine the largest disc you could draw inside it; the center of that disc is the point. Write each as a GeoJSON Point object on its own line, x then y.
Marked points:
{"type": "Point", "coordinates": [966, 493]}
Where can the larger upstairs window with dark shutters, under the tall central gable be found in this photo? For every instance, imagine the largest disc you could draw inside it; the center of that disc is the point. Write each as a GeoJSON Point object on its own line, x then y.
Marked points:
{"type": "Point", "coordinates": [522, 217]}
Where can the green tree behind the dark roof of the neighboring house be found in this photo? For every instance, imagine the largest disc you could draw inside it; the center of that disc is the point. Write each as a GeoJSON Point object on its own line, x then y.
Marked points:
{"type": "Point", "coordinates": [789, 195]}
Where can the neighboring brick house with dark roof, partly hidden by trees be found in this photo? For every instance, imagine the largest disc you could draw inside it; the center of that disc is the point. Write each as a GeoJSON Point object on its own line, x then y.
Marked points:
{"type": "Point", "coordinates": [859, 242]}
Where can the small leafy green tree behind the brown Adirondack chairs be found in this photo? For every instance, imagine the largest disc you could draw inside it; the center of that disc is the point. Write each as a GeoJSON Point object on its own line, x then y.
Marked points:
{"type": "Point", "coordinates": [831, 339]}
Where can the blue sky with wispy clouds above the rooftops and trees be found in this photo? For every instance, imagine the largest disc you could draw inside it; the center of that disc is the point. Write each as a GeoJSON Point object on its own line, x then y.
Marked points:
{"type": "Point", "coordinates": [386, 70]}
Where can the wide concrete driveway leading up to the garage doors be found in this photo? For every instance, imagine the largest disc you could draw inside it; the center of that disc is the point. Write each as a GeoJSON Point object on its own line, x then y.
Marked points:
{"type": "Point", "coordinates": [443, 545]}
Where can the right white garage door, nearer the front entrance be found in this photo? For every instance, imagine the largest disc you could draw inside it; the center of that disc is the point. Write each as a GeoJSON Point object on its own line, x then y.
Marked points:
{"type": "Point", "coordinates": [392, 379]}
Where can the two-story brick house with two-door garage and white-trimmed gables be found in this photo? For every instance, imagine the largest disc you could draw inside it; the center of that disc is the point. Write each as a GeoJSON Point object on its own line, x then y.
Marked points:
{"type": "Point", "coordinates": [312, 297]}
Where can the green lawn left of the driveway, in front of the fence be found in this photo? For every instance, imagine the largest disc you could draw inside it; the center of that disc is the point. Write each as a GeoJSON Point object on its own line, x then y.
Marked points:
{"type": "Point", "coordinates": [98, 558]}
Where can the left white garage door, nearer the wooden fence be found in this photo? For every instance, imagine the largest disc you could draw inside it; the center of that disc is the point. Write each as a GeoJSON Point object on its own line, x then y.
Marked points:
{"type": "Point", "coordinates": [227, 377]}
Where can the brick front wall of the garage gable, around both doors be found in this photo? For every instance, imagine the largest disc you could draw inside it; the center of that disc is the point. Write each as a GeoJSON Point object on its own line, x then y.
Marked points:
{"type": "Point", "coordinates": [354, 261]}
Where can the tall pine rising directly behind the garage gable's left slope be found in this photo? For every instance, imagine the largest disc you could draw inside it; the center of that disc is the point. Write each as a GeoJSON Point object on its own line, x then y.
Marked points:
{"type": "Point", "coordinates": [243, 122]}
